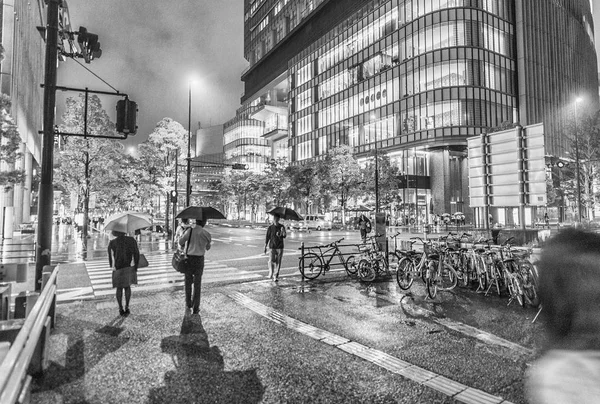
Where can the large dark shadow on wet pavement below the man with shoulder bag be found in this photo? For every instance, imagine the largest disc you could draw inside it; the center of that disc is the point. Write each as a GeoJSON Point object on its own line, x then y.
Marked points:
{"type": "Point", "coordinates": [199, 375]}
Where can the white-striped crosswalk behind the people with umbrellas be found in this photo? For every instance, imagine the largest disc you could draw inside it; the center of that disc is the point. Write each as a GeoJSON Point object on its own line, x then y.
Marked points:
{"type": "Point", "coordinates": [159, 274]}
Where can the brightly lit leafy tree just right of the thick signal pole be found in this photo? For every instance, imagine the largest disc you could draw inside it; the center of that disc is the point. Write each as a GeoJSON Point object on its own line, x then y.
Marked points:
{"type": "Point", "coordinates": [87, 165]}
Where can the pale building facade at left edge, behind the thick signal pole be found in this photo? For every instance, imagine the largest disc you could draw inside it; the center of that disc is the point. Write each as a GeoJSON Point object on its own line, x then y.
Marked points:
{"type": "Point", "coordinates": [22, 72]}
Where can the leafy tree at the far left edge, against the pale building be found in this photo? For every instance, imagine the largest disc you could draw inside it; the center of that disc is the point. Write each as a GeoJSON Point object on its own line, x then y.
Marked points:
{"type": "Point", "coordinates": [9, 146]}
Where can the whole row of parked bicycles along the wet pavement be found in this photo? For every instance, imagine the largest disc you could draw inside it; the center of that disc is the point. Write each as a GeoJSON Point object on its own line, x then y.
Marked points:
{"type": "Point", "coordinates": [441, 264]}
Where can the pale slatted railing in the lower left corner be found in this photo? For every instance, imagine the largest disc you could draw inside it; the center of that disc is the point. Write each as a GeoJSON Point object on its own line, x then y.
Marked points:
{"type": "Point", "coordinates": [27, 352]}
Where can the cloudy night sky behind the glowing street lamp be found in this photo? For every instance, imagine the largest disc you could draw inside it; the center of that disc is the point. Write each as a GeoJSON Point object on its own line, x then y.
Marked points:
{"type": "Point", "coordinates": [151, 49]}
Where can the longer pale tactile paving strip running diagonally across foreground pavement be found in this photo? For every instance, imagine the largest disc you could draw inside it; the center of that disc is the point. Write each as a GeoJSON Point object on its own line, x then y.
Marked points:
{"type": "Point", "coordinates": [450, 388]}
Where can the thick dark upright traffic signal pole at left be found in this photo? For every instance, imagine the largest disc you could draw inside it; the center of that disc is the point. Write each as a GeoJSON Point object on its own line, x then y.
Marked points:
{"type": "Point", "coordinates": [46, 191]}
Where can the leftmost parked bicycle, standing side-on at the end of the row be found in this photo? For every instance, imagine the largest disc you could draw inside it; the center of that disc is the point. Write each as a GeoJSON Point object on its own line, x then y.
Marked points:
{"type": "Point", "coordinates": [318, 259]}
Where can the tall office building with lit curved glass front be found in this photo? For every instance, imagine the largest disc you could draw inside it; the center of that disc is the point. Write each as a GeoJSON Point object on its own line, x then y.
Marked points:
{"type": "Point", "coordinates": [418, 78]}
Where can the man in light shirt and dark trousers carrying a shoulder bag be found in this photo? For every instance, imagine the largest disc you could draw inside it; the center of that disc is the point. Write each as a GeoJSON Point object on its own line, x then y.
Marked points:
{"type": "Point", "coordinates": [199, 241]}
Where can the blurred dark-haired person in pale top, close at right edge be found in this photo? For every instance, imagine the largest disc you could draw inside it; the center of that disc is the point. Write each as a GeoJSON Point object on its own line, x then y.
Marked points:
{"type": "Point", "coordinates": [569, 290]}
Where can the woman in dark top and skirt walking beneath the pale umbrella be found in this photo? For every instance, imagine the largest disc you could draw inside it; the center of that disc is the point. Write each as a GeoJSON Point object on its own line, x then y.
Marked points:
{"type": "Point", "coordinates": [122, 250]}
